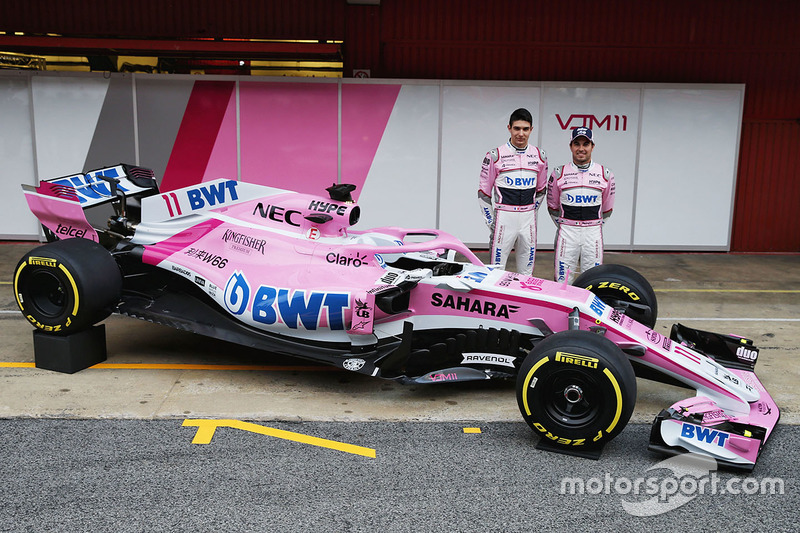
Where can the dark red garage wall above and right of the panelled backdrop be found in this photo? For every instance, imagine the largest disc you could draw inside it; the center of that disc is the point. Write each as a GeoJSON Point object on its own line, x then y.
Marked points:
{"type": "Point", "coordinates": [716, 41]}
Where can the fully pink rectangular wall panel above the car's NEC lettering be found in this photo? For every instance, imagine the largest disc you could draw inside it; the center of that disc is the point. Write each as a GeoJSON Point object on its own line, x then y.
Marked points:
{"type": "Point", "coordinates": [289, 134]}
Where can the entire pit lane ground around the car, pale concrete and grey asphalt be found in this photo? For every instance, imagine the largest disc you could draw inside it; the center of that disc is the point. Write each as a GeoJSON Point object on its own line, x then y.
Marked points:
{"type": "Point", "coordinates": [751, 295]}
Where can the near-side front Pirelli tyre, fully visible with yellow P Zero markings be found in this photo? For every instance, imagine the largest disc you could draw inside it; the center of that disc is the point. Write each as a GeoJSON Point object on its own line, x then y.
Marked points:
{"type": "Point", "coordinates": [576, 389]}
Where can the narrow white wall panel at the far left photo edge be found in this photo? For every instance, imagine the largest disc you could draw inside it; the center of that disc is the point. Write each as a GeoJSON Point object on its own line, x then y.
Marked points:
{"type": "Point", "coordinates": [16, 159]}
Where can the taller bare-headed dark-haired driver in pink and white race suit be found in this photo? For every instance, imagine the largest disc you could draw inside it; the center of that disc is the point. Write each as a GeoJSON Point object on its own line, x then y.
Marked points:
{"type": "Point", "coordinates": [512, 184]}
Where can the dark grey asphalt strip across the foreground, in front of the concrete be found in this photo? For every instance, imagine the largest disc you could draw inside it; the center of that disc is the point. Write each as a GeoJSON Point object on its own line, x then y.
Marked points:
{"type": "Point", "coordinates": [146, 475]}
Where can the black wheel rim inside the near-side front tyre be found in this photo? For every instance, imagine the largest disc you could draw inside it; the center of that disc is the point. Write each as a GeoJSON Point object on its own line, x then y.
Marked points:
{"type": "Point", "coordinates": [572, 397]}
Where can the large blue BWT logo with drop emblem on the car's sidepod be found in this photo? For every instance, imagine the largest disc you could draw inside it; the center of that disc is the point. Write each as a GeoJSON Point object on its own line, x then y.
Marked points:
{"type": "Point", "coordinates": [293, 307]}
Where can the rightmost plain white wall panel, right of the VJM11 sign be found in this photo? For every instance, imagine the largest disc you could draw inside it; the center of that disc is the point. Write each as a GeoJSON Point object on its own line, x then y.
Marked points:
{"type": "Point", "coordinates": [687, 167]}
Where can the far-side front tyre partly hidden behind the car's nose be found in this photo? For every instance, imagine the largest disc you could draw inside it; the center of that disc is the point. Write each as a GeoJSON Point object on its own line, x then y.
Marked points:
{"type": "Point", "coordinates": [622, 287]}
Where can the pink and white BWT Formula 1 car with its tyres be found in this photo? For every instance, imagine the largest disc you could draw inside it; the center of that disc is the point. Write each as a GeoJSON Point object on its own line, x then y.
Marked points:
{"type": "Point", "coordinates": [285, 272]}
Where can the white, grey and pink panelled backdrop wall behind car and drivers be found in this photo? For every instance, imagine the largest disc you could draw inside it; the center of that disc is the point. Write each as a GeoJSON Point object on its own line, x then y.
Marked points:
{"type": "Point", "coordinates": [412, 147]}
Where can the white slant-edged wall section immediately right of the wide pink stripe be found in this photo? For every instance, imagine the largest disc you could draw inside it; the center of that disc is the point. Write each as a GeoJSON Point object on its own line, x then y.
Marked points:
{"type": "Point", "coordinates": [401, 184]}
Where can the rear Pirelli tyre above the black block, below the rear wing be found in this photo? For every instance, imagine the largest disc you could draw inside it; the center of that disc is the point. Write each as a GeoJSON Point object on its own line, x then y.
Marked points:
{"type": "Point", "coordinates": [67, 286]}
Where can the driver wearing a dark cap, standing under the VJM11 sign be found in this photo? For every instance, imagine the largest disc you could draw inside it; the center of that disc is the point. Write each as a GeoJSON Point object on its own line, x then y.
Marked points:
{"type": "Point", "coordinates": [580, 197]}
